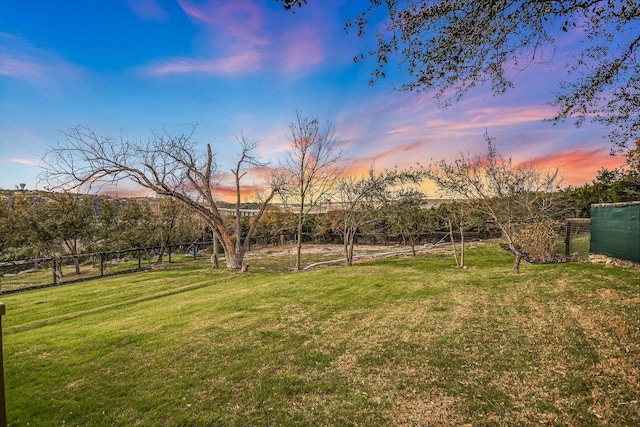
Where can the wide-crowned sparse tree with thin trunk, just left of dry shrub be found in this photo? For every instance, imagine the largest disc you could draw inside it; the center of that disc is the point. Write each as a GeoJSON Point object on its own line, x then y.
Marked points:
{"type": "Point", "coordinates": [508, 194]}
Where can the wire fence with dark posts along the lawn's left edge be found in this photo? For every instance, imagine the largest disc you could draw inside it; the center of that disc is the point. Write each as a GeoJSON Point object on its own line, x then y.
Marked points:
{"type": "Point", "coordinates": [17, 276]}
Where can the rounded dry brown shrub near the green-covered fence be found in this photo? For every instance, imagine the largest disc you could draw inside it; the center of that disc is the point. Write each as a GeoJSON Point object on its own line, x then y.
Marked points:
{"type": "Point", "coordinates": [538, 239]}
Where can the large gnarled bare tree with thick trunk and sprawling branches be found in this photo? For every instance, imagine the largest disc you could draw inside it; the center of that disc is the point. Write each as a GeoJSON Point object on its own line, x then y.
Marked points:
{"type": "Point", "coordinates": [168, 165]}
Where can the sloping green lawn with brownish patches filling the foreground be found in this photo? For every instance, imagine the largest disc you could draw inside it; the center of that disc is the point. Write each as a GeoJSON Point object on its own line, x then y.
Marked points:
{"type": "Point", "coordinates": [394, 342]}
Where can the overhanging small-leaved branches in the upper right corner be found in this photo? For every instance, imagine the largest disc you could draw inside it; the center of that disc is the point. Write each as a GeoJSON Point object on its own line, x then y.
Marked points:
{"type": "Point", "coordinates": [451, 47]}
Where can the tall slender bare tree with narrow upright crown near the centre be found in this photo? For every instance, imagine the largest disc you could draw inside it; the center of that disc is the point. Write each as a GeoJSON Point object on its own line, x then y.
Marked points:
{"type": "Point", "coordinates": [310, 168]}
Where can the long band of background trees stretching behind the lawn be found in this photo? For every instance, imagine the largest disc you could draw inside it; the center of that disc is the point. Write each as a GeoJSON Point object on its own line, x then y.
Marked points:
{"type": "Point", "coordinates": [490, 197]}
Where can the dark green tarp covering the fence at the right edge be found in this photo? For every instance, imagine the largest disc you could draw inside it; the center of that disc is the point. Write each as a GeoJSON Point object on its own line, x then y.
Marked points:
{"type": "Point", "coordinates": [615, 230]}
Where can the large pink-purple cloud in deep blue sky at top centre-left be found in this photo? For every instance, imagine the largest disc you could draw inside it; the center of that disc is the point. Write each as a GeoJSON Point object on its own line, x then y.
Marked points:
{"type": "Point", "coordinates": [238, 41]}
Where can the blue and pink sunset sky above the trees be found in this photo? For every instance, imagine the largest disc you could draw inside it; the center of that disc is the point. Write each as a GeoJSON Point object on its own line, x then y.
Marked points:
{"type": "Point", "coordinates": [244, 67]}
